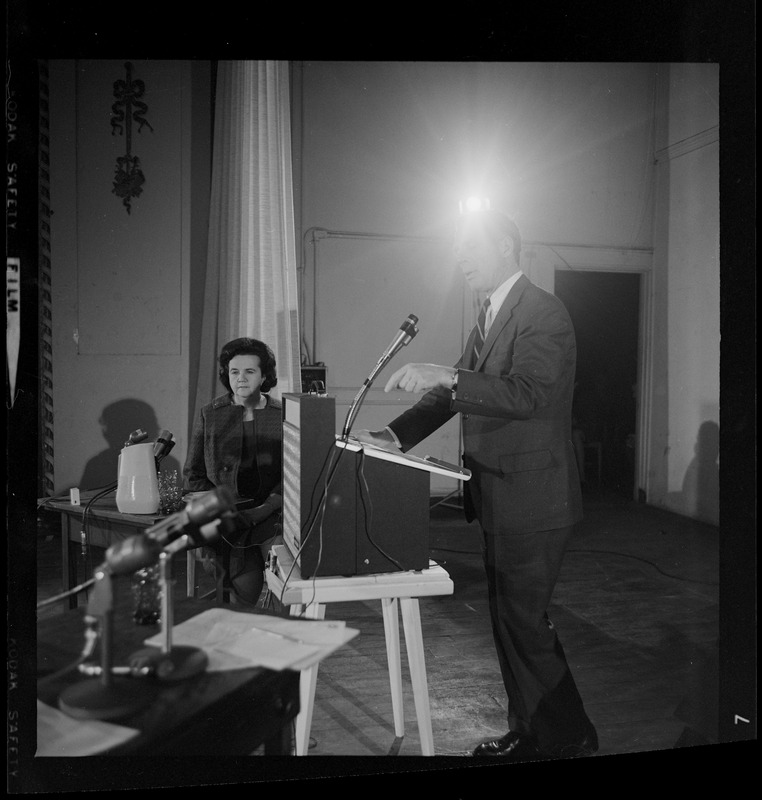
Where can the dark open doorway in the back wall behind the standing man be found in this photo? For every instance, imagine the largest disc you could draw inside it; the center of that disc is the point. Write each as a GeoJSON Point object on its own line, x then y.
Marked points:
{"type": "Point", "coordinates": [604, 308]}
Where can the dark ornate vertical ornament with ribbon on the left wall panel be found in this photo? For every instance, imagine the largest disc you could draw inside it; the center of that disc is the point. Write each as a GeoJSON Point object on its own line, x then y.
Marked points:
{"type": "Point", "coordinates": [129, 178]}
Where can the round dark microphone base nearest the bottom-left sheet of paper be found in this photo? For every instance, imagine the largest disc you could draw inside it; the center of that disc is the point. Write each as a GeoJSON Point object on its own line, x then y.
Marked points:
{"type": "Point", "coordinates": [91, 699]}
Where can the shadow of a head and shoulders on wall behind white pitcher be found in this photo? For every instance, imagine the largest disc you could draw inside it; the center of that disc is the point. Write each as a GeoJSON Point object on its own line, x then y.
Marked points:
{"type": "Point", "coordinates": [118, 420]}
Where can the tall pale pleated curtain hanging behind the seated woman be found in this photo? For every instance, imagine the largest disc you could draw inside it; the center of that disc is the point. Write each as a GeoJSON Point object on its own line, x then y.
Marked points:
{"type": "Point", "coordinates": [251, 285]}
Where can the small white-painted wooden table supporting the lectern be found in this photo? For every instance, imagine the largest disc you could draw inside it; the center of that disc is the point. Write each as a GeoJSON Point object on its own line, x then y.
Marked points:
{"type": "Point", "coordinates": [398, 593]}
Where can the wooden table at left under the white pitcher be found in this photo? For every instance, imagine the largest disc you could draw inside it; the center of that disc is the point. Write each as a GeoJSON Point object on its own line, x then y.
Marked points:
{"type": "Point", "coordinates": [104, 525]}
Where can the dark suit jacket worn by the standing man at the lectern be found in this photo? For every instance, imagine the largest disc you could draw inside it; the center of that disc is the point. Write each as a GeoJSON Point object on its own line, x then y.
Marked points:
{"type": "Point", "coordinates": [515, 403]}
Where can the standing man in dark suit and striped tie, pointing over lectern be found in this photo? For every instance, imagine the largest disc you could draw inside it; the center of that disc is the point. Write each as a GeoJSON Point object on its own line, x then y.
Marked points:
{"type": "Point", "coordinates": [513, 387]}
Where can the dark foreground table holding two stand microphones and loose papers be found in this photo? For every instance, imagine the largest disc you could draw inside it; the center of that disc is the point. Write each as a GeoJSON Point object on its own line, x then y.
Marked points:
{"type": "Point", "coordinates": [224, 713]}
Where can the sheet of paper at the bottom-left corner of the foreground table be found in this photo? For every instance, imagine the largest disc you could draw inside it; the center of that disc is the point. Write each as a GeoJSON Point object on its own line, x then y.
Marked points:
{"type": "Point", "coordinates": [61, 735]}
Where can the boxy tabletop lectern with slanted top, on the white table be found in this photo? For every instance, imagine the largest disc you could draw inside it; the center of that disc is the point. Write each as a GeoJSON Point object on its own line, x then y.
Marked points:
{"type": "Point", "coordinates": [350, 509]}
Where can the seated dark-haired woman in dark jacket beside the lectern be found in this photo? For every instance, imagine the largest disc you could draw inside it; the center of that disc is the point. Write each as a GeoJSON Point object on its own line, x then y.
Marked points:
{"type": "Point", "coordinates": [236, 442]}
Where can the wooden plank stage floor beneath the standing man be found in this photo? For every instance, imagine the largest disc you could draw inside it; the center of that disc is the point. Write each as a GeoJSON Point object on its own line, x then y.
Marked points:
{"type": "Point", "coordinates": [636, 608]}
